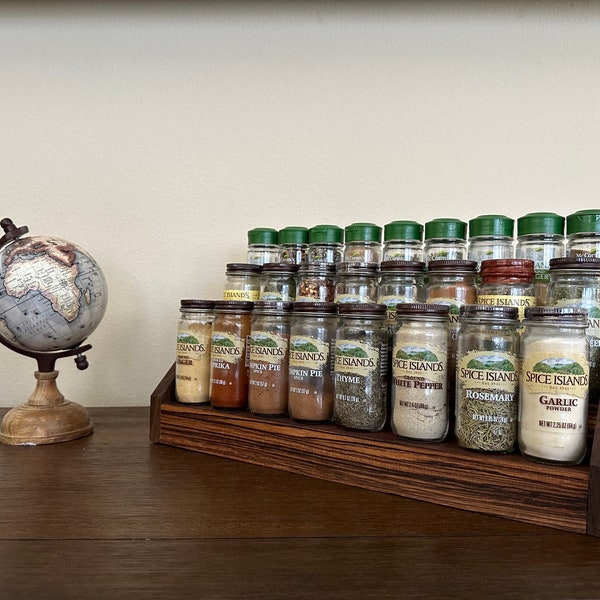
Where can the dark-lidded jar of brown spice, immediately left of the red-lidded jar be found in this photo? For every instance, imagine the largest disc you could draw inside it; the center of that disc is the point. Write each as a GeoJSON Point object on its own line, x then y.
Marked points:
{"type": "Point", "coordinates": [453, 284]}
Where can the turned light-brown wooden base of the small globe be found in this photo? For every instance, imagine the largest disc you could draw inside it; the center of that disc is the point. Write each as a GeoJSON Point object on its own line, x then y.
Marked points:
{"type": "Point", "coordinates": [46, 418]}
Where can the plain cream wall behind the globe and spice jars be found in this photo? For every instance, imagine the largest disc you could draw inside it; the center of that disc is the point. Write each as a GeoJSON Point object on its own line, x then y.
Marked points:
{"type": "Point", "coordinates": [155, 136]}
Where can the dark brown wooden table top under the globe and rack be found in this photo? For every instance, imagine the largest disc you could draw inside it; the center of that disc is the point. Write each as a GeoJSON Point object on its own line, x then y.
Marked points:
{"type": "Point", "coordinates": [112, 515]}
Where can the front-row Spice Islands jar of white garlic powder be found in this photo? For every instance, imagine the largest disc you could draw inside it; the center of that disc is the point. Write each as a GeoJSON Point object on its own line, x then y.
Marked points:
{"type": "Point", "coordinates": [554, 385]}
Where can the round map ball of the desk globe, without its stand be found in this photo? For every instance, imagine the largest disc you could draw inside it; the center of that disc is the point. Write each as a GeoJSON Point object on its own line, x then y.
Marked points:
{"type": "Point", "coordinates": [52, 294]}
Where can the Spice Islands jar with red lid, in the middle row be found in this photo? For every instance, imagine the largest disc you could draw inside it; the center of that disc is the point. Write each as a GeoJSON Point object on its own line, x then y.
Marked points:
{"type": "Point", "coordinates": [507, 282]}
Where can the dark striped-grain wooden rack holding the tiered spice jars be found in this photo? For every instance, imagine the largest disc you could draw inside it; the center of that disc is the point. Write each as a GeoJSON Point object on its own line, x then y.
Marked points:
{"type": "Point", "coordinates": [512, 487]}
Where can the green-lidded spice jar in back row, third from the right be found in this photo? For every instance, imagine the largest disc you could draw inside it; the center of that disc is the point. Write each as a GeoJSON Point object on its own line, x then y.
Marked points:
{"type": "Point", "coordinates": [491, 236]}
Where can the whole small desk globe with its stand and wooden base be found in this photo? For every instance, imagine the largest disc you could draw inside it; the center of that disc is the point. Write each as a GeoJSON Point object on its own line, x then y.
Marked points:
{"type": "Point", "coordinates": [52, 297]}
